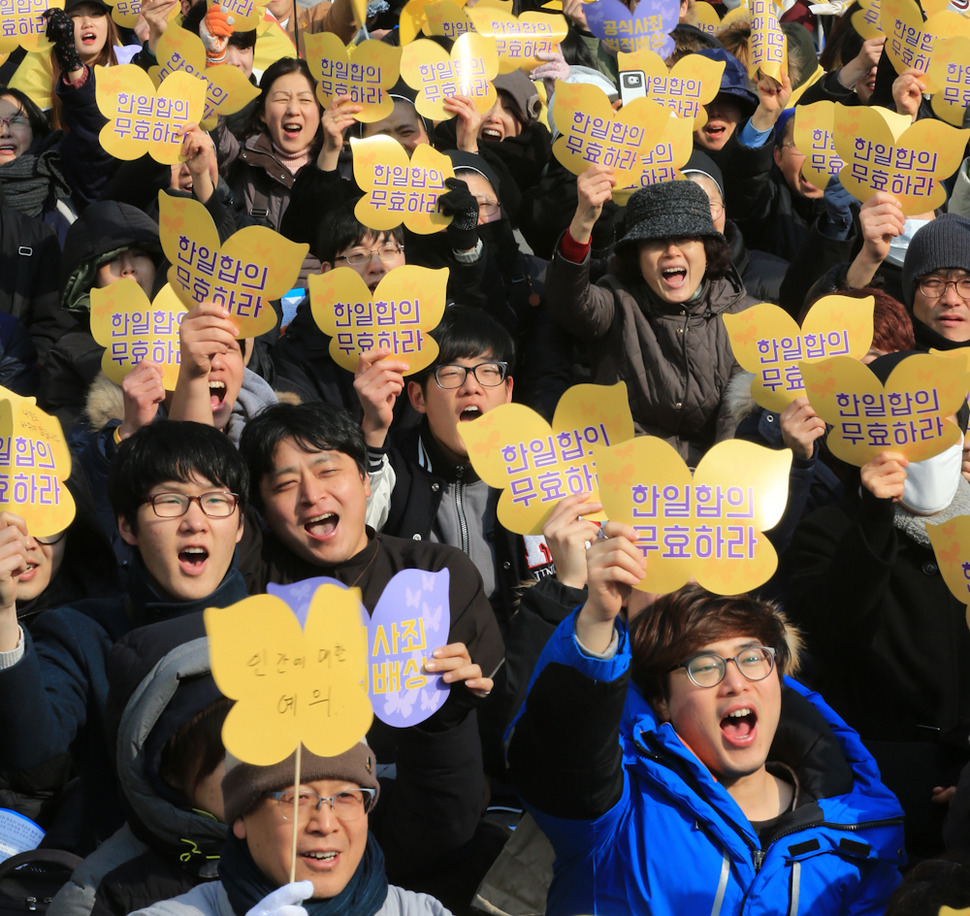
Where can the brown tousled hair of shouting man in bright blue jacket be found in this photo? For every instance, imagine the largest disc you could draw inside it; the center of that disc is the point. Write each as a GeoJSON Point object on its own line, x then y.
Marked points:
{"type": "Point", "coordinates": [680, 623]}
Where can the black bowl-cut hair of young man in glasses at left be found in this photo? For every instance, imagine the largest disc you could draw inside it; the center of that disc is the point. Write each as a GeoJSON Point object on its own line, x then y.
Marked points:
{"type": "Point", "coordinates": [173, 450]}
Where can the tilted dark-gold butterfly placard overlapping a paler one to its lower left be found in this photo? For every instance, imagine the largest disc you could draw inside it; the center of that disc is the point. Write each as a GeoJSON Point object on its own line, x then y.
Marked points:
{"type": "Point", "coordinates": [254, 266]}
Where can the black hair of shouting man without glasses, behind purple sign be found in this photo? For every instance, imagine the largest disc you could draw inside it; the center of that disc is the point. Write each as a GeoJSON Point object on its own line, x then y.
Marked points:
{"type": "Point", "coordinates": [314, 427]}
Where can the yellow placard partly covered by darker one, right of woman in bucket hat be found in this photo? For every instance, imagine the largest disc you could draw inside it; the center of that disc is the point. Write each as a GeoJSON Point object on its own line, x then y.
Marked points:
{"type": "Point", "coordinates": [767, 341]}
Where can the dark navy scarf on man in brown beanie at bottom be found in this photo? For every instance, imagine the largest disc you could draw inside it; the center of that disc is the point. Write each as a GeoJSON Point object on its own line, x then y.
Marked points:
{"type": "Point", "coordinates": [246, 885]}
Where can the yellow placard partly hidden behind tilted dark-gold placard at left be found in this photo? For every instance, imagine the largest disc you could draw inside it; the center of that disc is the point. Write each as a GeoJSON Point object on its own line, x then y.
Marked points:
{"type": "Point", "coordinates": [132, 329]}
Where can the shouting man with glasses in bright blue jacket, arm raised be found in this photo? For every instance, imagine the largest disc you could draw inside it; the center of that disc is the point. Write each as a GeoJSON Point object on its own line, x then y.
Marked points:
{"type": "Point", "coordinates": [695, 775]}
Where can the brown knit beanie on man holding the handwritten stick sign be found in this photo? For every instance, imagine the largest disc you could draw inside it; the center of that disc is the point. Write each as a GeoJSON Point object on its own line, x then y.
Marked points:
{"type": "Point", "coordinates": [244, 783]}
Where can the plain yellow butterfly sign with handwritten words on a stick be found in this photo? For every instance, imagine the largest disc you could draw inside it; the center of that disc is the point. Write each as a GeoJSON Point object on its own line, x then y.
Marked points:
{"type": "Point", "coordinates": [291, 684]}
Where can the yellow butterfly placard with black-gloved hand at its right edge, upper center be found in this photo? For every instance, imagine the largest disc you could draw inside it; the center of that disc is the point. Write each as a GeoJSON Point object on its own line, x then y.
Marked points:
{"type": "Point", "coordinates": [398, 190]}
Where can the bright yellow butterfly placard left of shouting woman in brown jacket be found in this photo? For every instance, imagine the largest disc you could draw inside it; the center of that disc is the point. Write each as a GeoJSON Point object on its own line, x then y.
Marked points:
{"type": "Point", "coordinates": [141, 120]}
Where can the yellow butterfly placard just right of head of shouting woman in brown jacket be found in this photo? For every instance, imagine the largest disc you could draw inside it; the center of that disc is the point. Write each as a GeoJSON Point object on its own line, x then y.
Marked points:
{"type": "Point", "coordinates": [365, 72]}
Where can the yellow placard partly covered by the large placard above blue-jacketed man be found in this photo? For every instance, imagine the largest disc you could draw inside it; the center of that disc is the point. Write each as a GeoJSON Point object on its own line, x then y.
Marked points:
{"type": "Point", "coordinates": [534, 464]}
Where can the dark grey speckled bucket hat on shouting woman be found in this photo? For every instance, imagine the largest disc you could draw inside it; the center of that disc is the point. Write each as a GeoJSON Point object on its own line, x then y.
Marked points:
{"type": "Point", "coordinates": [668, 210]}
